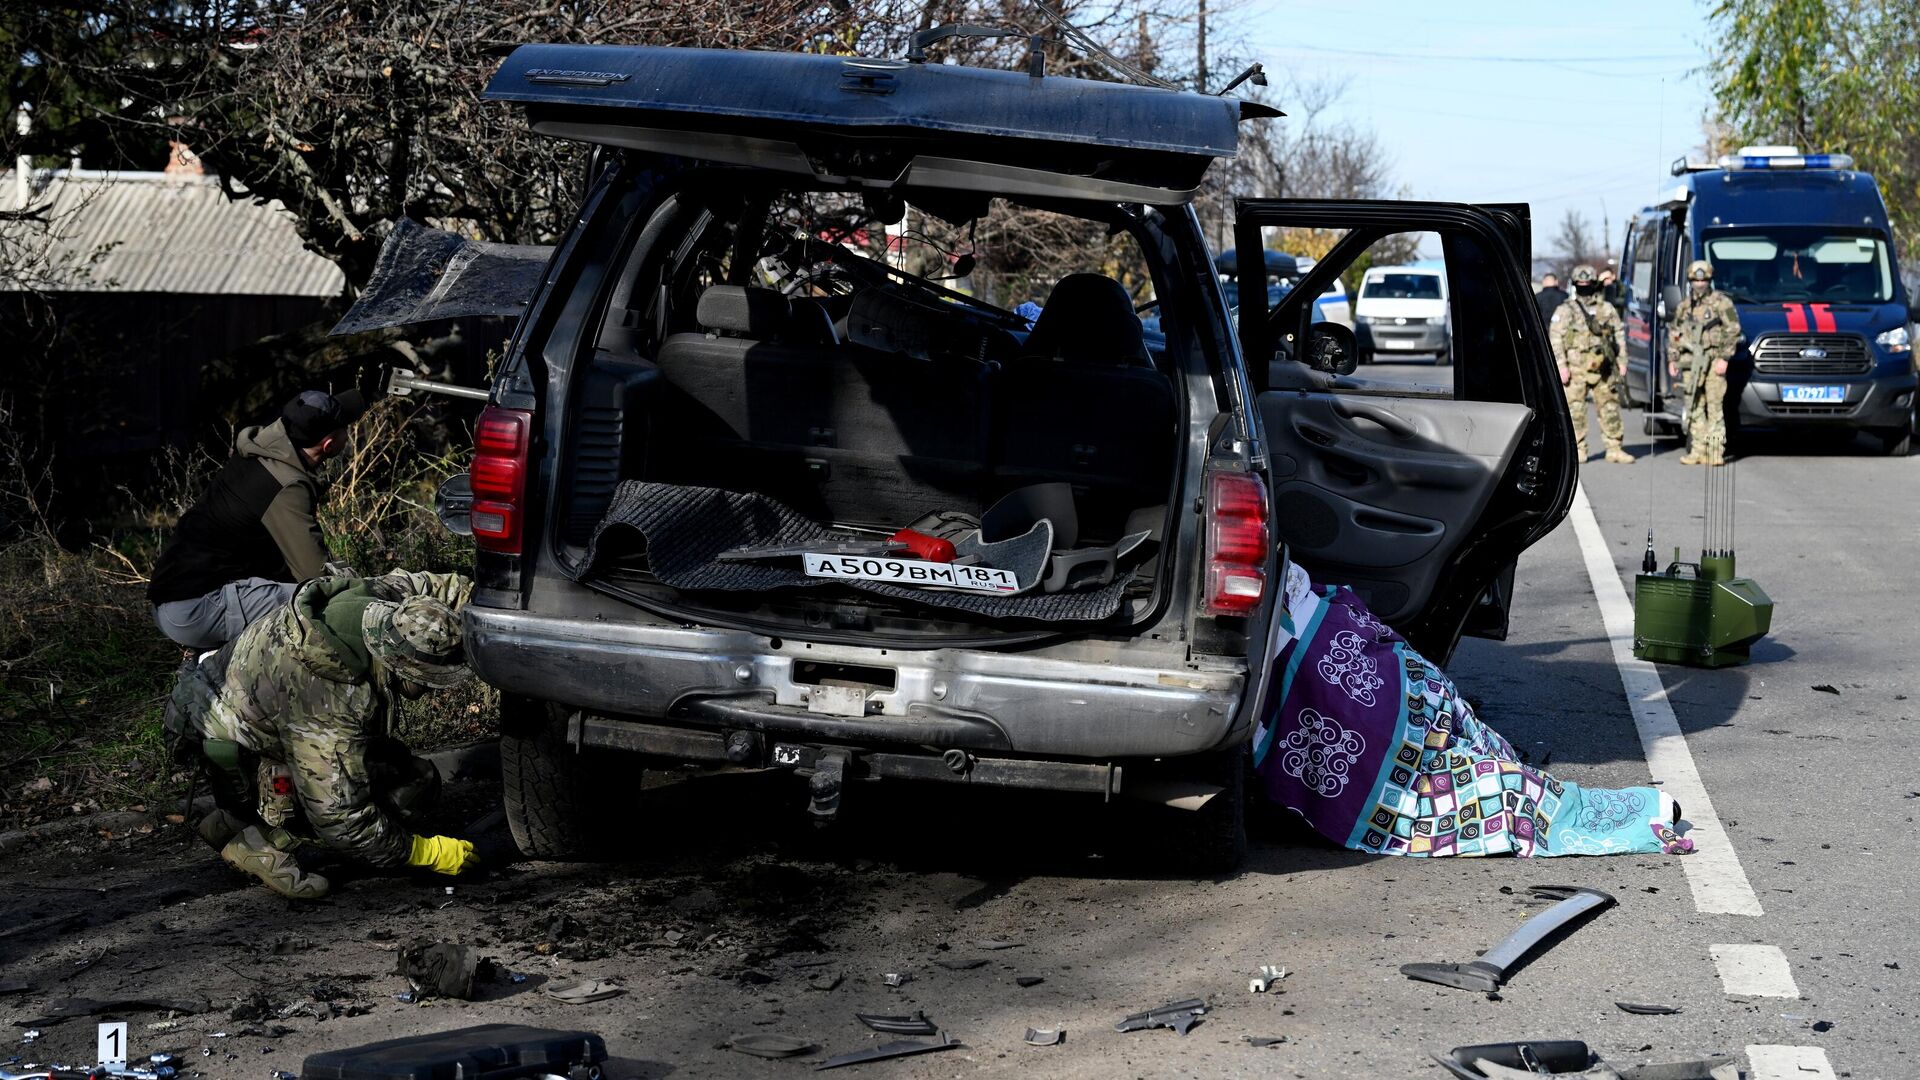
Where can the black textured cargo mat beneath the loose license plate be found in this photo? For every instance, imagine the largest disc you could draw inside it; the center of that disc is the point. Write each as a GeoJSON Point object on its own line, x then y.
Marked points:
{"type": "Point", "coordinates": [684, 529]}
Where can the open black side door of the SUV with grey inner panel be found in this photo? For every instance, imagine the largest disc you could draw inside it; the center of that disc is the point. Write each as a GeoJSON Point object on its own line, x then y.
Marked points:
{"type": "Point", "coordinates": [1418, 497]}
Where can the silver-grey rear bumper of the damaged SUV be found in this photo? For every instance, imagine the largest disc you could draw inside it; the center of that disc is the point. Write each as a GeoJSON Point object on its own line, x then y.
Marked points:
{"type": "Point", "coordinates": [719, 681]}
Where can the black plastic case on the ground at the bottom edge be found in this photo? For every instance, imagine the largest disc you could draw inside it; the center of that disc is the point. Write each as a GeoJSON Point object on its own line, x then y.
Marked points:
{"type": "Point", "coordinates": [487, 1052]}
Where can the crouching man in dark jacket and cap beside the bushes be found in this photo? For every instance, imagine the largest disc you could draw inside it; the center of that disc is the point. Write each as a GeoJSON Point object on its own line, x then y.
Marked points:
{"type": "Point", "coordinates": [252, 539]}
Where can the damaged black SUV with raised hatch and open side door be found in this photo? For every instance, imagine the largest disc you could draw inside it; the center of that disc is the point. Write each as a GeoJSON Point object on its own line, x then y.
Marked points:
{"type": "Point", "coordinates": [769, 483]}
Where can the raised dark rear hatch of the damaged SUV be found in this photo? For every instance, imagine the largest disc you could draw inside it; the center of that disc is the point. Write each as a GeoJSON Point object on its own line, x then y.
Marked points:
{"type": "Point", "coordinates": [890, 122]}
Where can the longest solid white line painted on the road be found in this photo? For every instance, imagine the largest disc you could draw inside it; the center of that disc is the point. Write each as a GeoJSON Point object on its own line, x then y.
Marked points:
{"type": "Point", "coordinates": [1714, 870]}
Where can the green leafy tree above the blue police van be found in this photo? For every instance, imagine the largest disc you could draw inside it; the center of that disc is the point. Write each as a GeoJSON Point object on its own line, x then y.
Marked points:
{"type": "Point", "coordinates": [1840, 76]}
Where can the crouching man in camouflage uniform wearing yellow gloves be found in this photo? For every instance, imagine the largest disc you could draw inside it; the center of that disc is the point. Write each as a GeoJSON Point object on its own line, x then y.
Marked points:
{"type": "Point", "coordinates": [295, 722]}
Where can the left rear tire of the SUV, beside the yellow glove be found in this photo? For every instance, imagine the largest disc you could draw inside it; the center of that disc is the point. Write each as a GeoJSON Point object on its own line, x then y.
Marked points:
{"type": "Point", "coordinates": [554, 795]}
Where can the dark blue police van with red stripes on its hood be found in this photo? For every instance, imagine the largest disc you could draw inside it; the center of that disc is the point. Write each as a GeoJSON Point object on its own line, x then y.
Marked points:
{"type": "Point", "coordinates": [1804, 249]}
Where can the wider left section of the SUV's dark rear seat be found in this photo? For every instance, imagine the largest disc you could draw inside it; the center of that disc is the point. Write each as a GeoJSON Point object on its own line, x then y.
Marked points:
{"type": "Point", "coordinates": [771, 399]}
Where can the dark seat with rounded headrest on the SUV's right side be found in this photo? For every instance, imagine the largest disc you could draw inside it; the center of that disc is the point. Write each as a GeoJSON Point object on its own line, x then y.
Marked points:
{"type": "Point", "coordinates": [1084, 405]}
